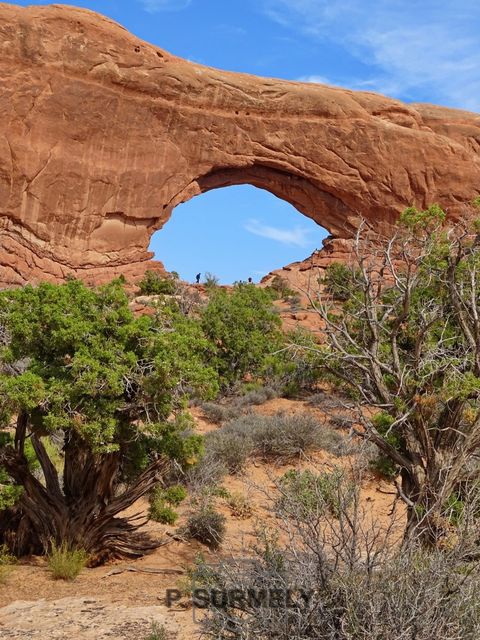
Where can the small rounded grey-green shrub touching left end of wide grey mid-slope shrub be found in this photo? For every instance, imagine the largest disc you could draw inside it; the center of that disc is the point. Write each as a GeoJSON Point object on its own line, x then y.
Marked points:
{"type": "Point", "coordinates": [227, 446]}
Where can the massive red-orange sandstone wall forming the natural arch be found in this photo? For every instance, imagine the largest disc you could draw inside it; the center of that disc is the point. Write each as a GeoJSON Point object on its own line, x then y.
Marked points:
{"type": "Point", "coordinates": [102, 135]}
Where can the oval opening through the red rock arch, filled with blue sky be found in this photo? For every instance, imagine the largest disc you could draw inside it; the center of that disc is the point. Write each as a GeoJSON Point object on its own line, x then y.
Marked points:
{"type": "Point", "coordinates": [234, 231]}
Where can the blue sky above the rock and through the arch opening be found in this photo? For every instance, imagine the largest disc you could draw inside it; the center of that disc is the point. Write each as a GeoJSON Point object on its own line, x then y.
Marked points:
{"type": "Point", "coordinates": [415, 50]}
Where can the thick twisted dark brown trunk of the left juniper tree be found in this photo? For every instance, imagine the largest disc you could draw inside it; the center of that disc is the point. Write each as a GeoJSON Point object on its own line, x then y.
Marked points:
{"type": "Point", "coordinates": [82, 512]}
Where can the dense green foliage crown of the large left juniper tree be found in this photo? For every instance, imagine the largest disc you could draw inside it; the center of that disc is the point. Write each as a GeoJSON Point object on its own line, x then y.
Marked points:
{"type": "Point", "coordinates": [95, 369]}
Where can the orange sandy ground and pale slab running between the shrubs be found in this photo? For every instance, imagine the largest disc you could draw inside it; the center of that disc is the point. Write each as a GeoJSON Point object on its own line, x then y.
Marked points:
{"type": "Point", "coordinates": [121, 600]}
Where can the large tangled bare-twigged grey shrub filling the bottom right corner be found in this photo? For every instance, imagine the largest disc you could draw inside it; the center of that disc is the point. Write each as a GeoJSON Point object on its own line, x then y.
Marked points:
{"type": "Point", "coordinates": [347, 576]}
